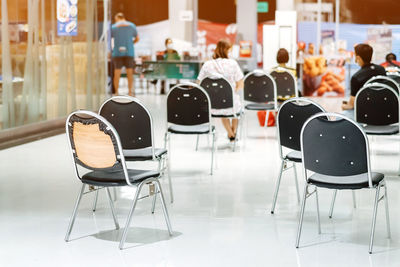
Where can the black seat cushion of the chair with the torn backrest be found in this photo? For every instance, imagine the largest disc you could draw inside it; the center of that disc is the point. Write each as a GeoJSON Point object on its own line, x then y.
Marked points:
{"type": "Point", "coordinates": [116, 178]}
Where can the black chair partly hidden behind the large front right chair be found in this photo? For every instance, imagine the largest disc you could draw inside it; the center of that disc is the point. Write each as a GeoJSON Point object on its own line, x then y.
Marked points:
{"type": "Point", "coordinates": [292, 114]}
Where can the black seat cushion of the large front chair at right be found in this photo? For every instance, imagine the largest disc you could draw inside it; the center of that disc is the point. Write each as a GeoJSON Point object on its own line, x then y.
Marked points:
{"type": "Point", "coordinates": [345, 182]}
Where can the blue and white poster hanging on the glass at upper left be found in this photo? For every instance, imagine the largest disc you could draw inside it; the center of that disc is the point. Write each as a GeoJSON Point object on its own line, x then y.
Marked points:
{"type": "Point", "coordinates": [67, 17]}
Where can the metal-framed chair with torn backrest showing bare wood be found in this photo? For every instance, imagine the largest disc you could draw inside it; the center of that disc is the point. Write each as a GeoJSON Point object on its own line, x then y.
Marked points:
{"type": "Point", "coordinates": [96, 146]}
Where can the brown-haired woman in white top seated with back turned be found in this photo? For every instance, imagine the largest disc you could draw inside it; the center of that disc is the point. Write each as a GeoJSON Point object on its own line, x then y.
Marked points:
{"type": "Point", "coordinates": [224, 65]}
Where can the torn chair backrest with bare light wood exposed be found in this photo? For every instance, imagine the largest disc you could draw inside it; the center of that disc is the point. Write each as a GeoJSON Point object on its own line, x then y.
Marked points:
{"type": "Point", "coordinates": [94, 142]}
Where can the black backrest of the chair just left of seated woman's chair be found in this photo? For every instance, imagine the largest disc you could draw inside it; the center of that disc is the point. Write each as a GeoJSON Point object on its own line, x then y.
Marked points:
{"type": "Point", "coordinates": [188, 104]}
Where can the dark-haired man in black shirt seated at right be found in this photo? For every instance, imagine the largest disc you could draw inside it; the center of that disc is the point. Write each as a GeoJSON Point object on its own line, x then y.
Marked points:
{"type": "Point", "coordinates": [363, 53]}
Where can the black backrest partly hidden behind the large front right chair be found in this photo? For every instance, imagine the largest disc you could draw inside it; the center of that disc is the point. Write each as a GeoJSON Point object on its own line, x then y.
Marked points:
{"type": "Point", "coordinates": [292, 115]}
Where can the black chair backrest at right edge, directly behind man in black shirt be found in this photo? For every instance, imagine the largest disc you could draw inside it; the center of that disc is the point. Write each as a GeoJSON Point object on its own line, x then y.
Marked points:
{"type": "Point", "coordinates": [376, 104]}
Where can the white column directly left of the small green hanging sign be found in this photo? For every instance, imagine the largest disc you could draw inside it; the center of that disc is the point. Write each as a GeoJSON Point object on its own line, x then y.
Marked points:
{"type": "Point", "coordinates": [246, 20]}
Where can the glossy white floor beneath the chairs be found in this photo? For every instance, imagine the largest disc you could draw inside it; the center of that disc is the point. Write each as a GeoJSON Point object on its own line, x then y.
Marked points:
{"type": "Point", "coordinates": [219, 220]}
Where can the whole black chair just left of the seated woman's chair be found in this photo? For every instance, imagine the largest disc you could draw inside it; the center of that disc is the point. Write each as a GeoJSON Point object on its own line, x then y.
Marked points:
{"type": "Point", "coordinates": [188, 113]}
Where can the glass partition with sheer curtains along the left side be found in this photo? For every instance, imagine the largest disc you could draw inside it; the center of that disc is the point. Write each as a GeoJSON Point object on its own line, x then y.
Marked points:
{"type": "Point", "coordinates": [45, 75]}
